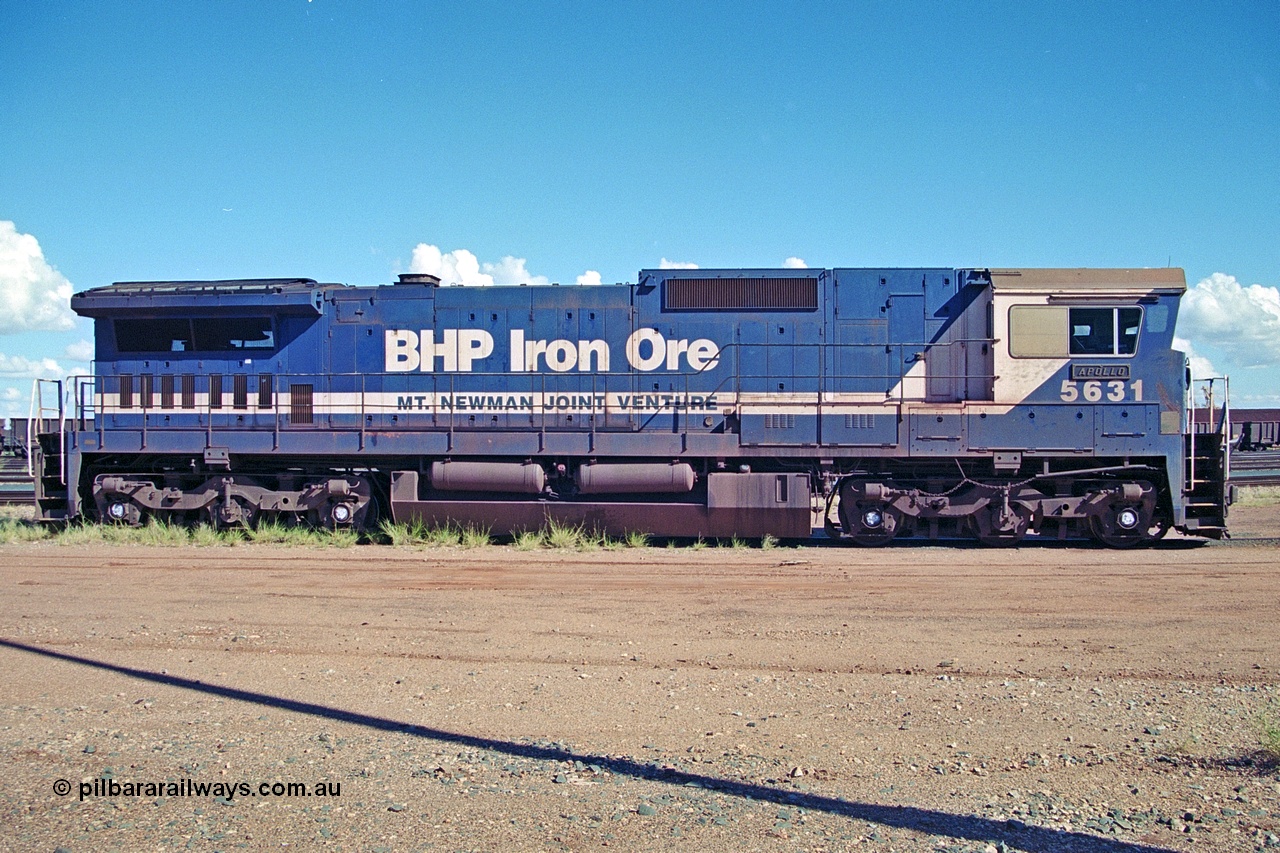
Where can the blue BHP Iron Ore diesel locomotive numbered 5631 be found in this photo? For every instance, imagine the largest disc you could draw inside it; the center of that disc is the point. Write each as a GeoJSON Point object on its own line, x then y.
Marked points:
{"type": "Point", "coordinates": [877, 404]}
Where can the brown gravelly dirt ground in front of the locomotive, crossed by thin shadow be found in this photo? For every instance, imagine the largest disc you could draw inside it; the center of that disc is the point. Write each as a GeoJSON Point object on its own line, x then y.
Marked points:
{"type": "Point", "coordinates": [817, 699]}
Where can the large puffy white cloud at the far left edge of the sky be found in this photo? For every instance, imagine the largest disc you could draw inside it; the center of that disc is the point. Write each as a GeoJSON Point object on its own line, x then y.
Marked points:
{"type": "Point", "coordinates": [34, 294]}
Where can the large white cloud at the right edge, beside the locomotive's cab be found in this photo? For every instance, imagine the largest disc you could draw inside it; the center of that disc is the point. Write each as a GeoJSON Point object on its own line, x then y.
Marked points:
{"type": "Point", "coordinates": [1242, 323]}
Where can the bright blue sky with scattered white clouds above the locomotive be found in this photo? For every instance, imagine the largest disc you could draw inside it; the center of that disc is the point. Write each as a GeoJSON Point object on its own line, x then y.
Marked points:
{"type": "Point", "coordinates": [333, 140]}
